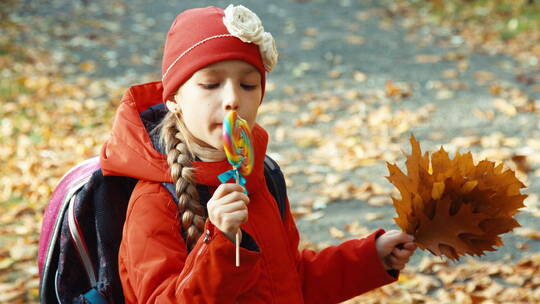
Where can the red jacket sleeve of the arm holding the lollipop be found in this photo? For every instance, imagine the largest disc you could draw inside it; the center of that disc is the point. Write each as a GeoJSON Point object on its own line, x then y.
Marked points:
{"type": "Point", "coordinates": [158, 269]}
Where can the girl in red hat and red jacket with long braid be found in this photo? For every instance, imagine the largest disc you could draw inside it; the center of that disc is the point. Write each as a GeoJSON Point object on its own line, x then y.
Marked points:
{"type": "Point", "coordinates": [215, 61]}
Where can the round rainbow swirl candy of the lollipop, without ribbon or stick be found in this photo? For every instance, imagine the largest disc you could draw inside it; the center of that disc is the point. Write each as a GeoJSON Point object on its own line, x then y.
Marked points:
{"type": "Point", "coordinates": [237, 143]}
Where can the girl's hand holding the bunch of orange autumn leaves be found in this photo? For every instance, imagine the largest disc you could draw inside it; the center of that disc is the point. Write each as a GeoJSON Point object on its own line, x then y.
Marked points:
{"type": "Point", "coordinates": [394, 249]}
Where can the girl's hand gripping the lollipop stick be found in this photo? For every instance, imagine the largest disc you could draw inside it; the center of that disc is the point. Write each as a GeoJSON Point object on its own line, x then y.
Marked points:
{"type": "Point", "coordinates": [227, 209]}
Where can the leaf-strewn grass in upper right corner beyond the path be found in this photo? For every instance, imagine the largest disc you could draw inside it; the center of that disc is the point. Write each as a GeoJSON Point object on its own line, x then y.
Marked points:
{"type": "Point", "coordinates": [508, 27]}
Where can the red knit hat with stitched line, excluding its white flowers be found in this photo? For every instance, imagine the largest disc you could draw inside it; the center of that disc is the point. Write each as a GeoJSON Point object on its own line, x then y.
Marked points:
{"type": "Point", "coordinates": [197, 38]}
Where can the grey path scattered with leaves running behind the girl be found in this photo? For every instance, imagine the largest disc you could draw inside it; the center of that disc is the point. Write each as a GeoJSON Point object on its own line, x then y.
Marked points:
{"type": "Point", "coordinates": [343, 65]}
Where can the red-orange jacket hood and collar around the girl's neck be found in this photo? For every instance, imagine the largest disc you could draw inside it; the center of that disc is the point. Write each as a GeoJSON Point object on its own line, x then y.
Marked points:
{"type": "Point", "coordinates": [130, 151]}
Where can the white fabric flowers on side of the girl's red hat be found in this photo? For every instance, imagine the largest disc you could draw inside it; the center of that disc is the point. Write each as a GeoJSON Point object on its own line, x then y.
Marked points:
{"type": "Point", "coordinates": [245, 25]}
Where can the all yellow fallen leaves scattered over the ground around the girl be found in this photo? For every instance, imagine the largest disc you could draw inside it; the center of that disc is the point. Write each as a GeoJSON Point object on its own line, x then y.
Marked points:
{"type": "Point", "coordinates": [55, 113]}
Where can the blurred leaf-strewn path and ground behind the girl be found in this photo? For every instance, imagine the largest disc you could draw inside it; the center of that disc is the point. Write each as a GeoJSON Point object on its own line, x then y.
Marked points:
{"type": "Point", "coordinates": [355, 78]}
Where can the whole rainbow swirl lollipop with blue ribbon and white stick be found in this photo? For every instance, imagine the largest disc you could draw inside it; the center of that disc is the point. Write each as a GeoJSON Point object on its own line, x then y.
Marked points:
{"type": "Point", "coordinates": [239, 151]}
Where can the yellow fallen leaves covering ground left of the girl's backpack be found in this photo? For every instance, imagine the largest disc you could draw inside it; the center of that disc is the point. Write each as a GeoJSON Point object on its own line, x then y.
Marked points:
{"type": "Point", "coordinates": [49, 122]}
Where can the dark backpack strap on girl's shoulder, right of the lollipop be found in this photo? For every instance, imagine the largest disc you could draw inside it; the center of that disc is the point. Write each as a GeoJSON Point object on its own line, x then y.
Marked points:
{"type": "Point", "coordinates": [275, 181]}
